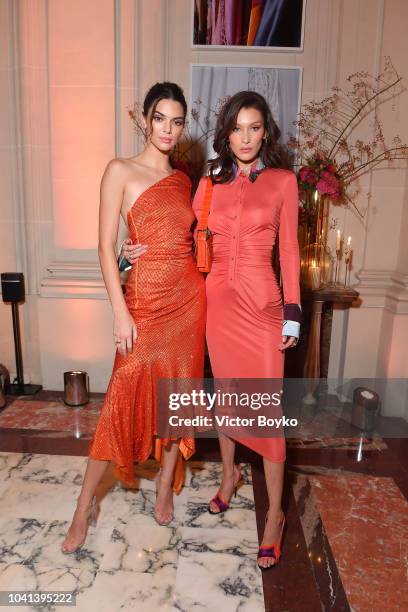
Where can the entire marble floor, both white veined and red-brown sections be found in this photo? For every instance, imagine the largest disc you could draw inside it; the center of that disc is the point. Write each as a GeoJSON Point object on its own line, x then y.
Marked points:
{"type": "Point", "coordinates": [345, 548]}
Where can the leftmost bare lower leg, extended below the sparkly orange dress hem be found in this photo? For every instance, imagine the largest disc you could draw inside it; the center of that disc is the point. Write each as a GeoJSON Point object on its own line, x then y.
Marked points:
{"type": "Point", "coordinates": [95, 470]}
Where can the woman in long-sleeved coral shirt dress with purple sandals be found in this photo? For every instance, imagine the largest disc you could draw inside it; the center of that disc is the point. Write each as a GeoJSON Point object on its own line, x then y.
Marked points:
{"type": "Point", "coordinates": [254, 199]}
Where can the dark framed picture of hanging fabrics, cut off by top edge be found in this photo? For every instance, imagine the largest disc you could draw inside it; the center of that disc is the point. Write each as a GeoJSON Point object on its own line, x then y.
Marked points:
{"type": "Point", "coordinates": [249, 24]}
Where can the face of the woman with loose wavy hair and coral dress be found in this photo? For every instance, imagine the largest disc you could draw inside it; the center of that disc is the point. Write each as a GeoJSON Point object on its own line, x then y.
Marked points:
{"type": "Point", "coordinates": [246, 138]}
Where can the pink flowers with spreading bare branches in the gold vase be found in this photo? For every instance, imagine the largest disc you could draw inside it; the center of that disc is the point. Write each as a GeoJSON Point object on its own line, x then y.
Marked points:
{"type": "Point", "coordinates": [330, 160]}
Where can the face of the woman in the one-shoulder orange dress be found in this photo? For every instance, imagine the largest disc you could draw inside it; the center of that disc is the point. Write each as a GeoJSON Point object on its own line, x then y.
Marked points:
{"type": "Point", "coordinates": [165, 126]}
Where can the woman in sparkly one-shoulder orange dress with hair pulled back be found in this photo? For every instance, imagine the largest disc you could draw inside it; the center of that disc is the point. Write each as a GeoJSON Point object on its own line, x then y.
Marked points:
{"type": "Point", "coordinates": [159, 324]}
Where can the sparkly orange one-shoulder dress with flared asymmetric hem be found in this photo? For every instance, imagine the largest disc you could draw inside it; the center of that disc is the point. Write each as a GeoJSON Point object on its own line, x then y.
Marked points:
{"type": "Point", "coordinates": [165, 294]}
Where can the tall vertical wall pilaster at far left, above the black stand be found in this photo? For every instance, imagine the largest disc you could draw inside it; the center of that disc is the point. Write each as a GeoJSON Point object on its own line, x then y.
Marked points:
{"type": "Point", "coordinates": [33, 217]}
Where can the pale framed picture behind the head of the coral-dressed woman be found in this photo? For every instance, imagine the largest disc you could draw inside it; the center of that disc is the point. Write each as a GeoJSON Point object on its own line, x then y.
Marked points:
{"type": "Point", "coordinates": [212, 84]}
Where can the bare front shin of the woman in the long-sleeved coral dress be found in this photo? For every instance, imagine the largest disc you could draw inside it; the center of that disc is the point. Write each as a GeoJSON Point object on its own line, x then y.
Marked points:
{"type": "Point", "coordinates": [274, 473]}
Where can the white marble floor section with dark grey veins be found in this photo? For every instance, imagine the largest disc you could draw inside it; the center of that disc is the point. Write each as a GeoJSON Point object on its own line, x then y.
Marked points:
{"type": "Point", "coordinates": [128, 561]}
